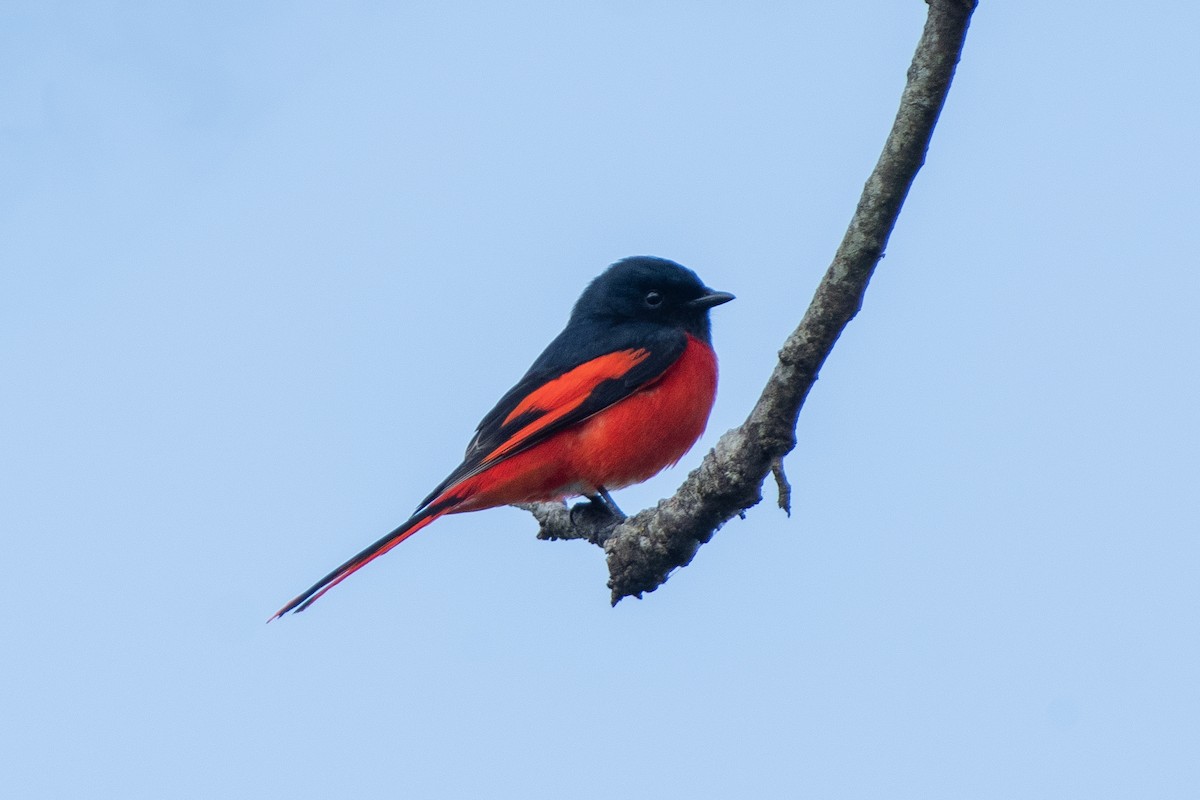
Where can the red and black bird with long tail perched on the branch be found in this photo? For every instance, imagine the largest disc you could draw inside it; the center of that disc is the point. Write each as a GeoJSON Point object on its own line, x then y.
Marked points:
{"type": "Point", "coordinates": [623, 393]}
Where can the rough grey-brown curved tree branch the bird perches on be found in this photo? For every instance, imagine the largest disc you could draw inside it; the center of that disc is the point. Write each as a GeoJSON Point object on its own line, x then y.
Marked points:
{"type": "Point", "coordinates": [645, 549]}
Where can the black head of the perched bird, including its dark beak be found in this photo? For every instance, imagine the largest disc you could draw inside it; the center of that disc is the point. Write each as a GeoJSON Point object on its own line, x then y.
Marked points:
{"type": "Point", "coordinates": [653, 291]}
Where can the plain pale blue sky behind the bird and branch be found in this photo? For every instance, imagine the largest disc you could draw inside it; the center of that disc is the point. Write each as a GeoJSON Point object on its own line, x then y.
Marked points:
{"type": "Point", "coordinates": [263, 267]}
